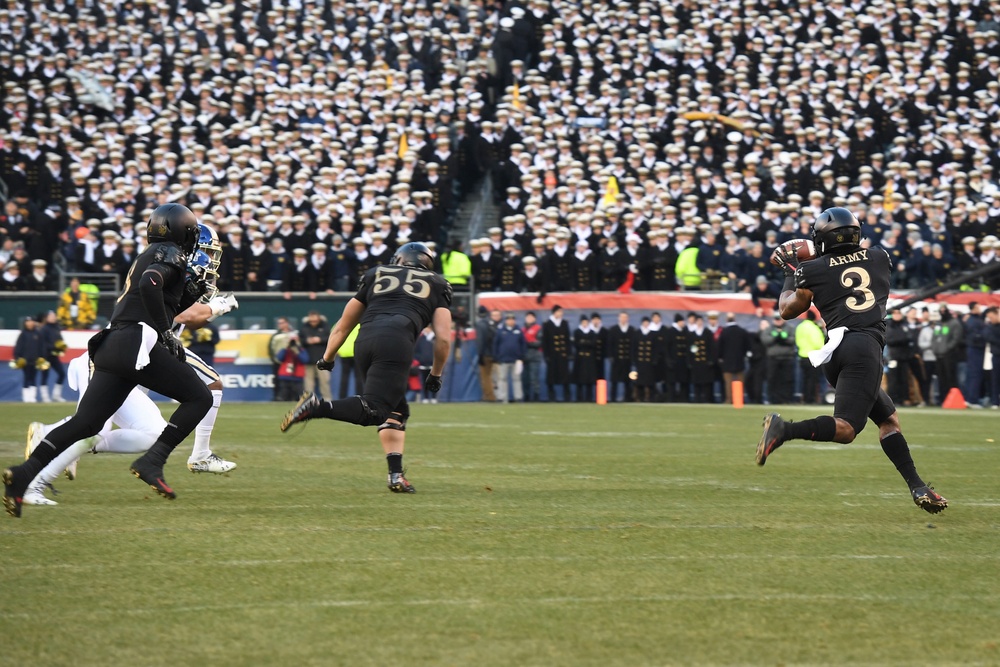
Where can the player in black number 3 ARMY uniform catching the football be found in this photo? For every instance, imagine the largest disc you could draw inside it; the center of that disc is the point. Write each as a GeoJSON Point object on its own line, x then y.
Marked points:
{"type": "Point", "coordinates": [850, 286]}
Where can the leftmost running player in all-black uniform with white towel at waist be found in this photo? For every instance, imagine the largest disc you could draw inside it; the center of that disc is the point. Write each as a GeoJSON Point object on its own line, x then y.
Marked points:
{"type": "Point", "coordinates": [137, 347]}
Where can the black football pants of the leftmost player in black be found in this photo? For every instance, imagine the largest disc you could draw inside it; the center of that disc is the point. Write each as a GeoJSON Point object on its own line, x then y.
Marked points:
{"type": "Point", "coordinates": [115, 376]}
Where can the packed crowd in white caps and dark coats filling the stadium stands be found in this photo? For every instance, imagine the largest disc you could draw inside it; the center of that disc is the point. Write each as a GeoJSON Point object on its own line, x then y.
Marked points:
{"type": "Point", "coordinates": [642, 145]}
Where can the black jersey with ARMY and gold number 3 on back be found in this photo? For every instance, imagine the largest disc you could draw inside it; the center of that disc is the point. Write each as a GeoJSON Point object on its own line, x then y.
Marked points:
{"type": "Point", "coordinates": [850, 289]}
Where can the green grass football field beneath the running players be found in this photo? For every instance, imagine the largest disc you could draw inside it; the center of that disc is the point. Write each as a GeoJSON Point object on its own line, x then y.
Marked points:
{"type": "Point", "coordinates": [541, 535]}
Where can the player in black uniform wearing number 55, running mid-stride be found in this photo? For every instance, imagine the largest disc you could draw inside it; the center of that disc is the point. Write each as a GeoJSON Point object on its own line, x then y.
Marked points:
{"type": "Point", "coordinates": [394, 304]}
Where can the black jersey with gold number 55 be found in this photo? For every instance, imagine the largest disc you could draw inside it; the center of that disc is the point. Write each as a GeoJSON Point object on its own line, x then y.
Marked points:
{"type": "Point", "coordinates": [402, 291]}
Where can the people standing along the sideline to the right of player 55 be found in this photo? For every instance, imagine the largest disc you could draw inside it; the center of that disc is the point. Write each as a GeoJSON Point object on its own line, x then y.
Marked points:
{"type": "Point", "coordinates": [696, 357]}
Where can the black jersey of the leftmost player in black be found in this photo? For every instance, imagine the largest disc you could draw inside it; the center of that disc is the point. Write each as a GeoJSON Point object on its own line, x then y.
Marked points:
{"type": "Point", "coordinates": [171, 263]}
